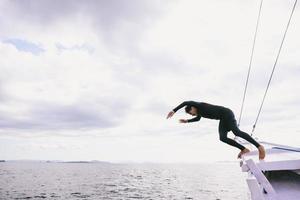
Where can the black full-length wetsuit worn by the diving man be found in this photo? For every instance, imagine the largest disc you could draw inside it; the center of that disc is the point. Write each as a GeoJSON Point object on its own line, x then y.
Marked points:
{"type": "Point", "coordinates": [227, 121]}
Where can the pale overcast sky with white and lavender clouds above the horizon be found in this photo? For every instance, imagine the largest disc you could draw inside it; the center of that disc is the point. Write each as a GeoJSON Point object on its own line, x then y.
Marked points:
{"type": "Point", "coordinates": [94, 80]}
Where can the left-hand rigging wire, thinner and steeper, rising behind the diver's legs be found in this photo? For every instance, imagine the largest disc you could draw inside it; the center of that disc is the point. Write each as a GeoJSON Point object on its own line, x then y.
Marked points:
{"type": "Point", "coordinates": [250, 63]}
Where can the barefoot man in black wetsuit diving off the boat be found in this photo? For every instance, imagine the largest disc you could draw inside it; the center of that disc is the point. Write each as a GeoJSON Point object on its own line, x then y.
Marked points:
{"type": "Point", "coordinates": [227, 123]}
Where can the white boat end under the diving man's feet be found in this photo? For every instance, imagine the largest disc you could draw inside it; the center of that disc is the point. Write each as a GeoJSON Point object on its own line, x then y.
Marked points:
{"type": "Point", "coordinates": [277, 177]}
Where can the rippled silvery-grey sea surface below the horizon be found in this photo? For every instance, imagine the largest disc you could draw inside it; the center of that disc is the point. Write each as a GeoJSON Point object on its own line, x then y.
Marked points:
{"type": "Point", "coordinates": [41, 180]}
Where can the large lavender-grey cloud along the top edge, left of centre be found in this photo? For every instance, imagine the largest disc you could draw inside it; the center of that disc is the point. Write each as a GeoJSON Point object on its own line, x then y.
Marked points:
{"type": "Point", "coordinates": [117, 23]}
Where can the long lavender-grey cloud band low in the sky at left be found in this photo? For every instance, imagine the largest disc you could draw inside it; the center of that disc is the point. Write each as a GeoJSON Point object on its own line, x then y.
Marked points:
{"type": "Point", "coordinates": [83, 115]}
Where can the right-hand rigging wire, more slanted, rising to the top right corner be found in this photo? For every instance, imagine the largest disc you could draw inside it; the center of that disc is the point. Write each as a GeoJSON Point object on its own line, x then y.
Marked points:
{"type": "Point", "coordinates": [274, 66]}
